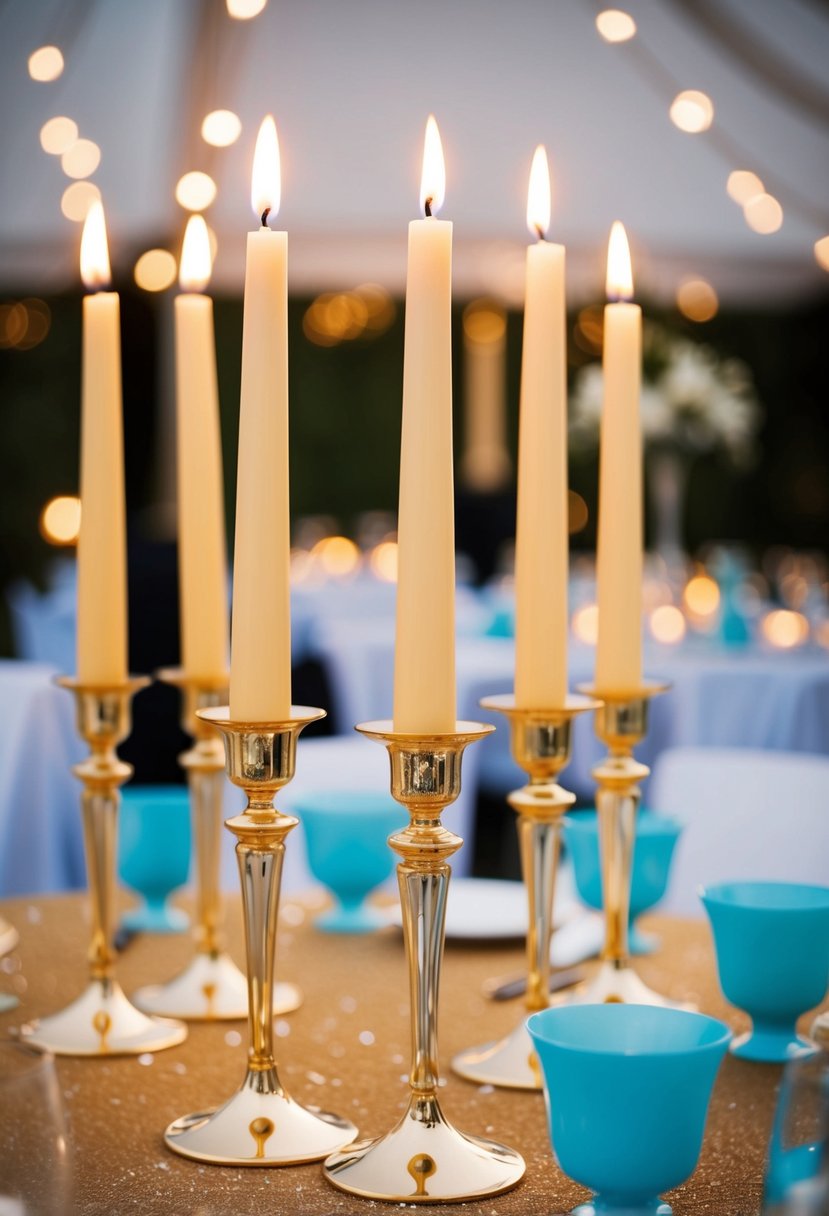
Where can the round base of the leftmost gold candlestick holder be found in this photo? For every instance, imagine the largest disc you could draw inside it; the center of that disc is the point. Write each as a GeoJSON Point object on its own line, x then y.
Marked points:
{"type": "Point", "coordinates": [103, 1022]}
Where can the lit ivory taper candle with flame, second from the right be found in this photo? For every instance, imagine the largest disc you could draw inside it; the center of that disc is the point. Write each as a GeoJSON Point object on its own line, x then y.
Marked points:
{"type": "Point", "coordinates": [542, 536]}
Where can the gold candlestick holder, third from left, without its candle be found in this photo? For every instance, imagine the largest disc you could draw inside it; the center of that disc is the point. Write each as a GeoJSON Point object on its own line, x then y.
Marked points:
{"type": "Point", "coordinates": [261, 1124]}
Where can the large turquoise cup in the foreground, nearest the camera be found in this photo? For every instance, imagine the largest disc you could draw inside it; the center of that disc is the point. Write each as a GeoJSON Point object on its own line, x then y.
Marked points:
{"type": "Point", "coordinates": [628, 1090]}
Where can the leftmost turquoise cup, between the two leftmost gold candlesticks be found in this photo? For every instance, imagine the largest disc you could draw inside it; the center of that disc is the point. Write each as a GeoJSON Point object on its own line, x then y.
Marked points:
{"type": "Point", "coordinates": [154, 855]}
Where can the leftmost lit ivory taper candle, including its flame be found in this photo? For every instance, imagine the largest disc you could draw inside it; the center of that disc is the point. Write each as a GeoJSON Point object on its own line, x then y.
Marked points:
{"type": "Point", "coordinates": [101, 638]}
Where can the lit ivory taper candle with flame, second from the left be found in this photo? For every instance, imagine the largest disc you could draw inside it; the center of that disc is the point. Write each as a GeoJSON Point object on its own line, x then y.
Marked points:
{"type": "Point", "coordinates": [202, 549]}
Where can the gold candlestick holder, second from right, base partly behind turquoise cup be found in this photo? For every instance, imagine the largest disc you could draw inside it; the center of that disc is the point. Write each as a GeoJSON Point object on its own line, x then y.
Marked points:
{"type": "Point", "coordinates": [542, 747]}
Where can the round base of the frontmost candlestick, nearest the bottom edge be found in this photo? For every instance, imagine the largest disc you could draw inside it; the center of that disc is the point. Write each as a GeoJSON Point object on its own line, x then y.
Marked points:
{"type": "Point", "coordinates": [425, 1161]}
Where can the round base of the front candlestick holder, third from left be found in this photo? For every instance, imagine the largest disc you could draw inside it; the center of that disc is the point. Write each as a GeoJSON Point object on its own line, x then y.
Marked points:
{"type": "Point", "coordinates": [260, 1125]}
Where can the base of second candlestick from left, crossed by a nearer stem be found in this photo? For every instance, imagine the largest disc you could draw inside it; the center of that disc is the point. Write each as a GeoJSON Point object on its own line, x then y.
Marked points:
{"type": "Point", "coordinates": [211, 989]}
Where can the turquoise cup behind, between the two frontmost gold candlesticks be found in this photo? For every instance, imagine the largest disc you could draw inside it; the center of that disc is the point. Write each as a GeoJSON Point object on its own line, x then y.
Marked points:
{"type": "Point", "coordinates": [346, 838]}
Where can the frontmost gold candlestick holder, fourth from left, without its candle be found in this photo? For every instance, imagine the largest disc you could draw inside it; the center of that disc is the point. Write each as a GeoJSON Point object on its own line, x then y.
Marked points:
{"type": "Point", "coordinates": [425, 1159]}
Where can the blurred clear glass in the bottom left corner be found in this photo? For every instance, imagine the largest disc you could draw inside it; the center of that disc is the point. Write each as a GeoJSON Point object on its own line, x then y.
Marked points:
{"type": "Point", "coordinates": [36, 1159]}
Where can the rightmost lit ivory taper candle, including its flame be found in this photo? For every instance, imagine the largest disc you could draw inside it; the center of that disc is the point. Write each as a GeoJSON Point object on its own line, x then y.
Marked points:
{"type": "Point", "coordinates": [619, 559]}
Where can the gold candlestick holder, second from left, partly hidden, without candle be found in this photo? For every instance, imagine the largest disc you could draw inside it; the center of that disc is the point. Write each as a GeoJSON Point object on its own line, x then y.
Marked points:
{"type": "Point", "coordinates": [211, 988]}
